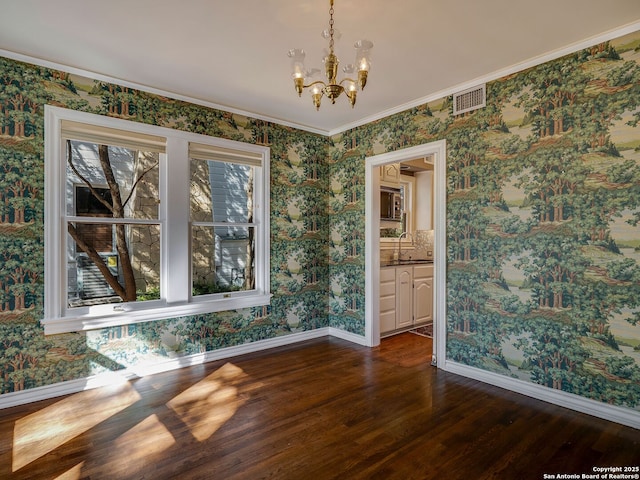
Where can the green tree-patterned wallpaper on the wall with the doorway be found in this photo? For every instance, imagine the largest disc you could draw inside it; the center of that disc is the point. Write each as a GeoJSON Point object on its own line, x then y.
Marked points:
{"type": "Point", "coordinates": [543, 244]}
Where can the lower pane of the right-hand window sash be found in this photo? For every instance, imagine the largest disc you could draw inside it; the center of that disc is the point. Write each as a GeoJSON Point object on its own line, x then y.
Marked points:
{"type": "Point", "coordinates": [222, 259]}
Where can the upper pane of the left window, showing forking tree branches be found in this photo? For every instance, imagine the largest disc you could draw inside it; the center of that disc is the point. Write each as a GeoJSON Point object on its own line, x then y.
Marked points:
{"type": "Point", "coordinates": [94, 173]}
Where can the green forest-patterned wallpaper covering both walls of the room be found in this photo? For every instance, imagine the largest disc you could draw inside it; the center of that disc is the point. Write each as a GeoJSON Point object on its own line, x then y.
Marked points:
{"type": "Point", "coordinates": [543, 204]}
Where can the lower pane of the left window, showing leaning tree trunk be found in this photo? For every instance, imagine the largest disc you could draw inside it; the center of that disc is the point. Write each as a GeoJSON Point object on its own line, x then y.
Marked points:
{"type": "Point", "coordinates": [136, 263]}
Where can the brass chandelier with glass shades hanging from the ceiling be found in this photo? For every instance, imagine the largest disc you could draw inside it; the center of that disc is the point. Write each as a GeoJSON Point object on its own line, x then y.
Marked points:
{"type": "Point", "coordinates": [333, 89]}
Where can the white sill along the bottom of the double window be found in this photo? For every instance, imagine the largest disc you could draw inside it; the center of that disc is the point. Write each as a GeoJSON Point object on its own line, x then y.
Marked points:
{"type": "Point", "coordinates": [93, 322]}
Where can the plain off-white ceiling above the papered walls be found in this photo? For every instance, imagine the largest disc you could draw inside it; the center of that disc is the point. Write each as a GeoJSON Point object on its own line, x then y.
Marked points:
{"type": "Point", "coordinates": [233, 54]}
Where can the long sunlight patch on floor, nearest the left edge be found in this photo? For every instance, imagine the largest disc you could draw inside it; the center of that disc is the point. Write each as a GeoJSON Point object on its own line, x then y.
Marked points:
{"type": "Point", "coordinates": [45, 430]}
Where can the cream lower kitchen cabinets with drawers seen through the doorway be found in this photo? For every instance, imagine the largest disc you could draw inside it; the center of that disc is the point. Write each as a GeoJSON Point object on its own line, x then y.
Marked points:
{"type": "Point", "coordinates": [406, 296]}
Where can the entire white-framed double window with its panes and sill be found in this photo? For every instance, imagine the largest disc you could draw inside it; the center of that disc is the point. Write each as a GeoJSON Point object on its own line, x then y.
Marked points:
{"type": "Point", "coordinates": [146, 222]}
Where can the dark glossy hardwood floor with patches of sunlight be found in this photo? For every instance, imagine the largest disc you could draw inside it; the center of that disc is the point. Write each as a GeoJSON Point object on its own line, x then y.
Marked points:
{"type": "Point", "coordinates": [323, 409]}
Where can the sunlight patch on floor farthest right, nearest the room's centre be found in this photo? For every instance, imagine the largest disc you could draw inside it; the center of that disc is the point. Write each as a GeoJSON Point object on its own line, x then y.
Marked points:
{"type": "Point", "coordinates": [208, 404]}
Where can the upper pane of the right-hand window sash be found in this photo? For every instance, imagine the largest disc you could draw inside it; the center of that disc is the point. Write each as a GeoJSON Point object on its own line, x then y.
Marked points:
{"type": "Point", "coordinates": [221, 192]}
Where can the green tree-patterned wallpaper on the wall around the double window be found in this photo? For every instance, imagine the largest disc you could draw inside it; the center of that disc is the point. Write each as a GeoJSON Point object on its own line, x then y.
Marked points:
{"type": "Point", "coordinates": [299, 275]}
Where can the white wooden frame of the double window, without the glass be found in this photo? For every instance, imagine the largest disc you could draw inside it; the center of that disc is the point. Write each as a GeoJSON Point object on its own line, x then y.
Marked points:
{"type": "Point", "coordinates": [175, 230]}
